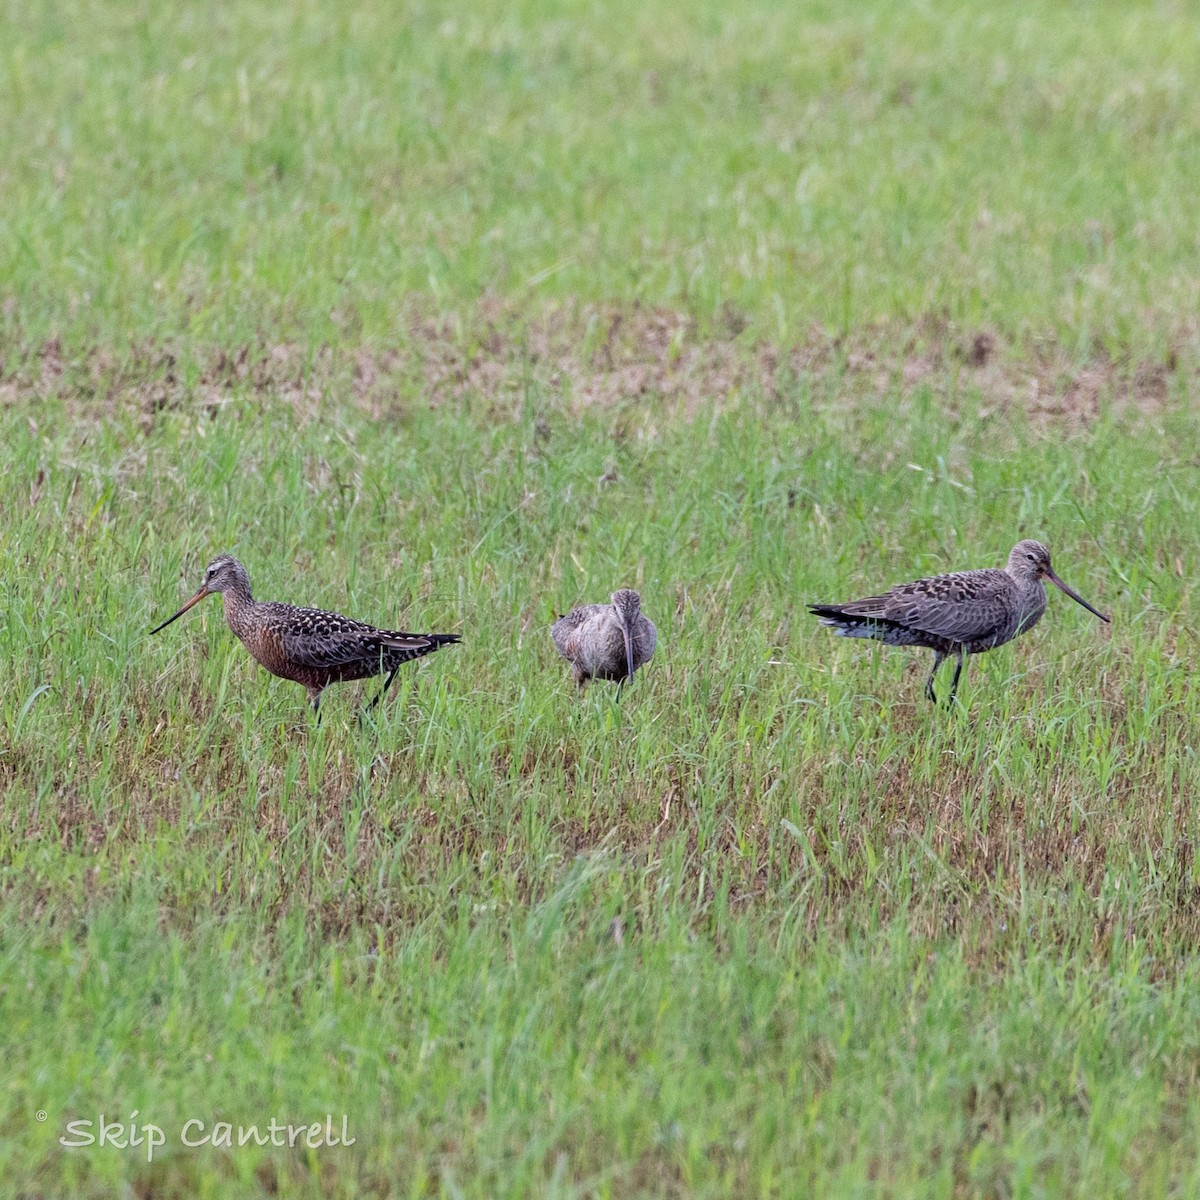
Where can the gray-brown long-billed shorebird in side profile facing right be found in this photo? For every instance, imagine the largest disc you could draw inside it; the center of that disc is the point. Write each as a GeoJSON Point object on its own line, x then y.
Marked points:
{"type": "Point", "coordinates": [967, 613]}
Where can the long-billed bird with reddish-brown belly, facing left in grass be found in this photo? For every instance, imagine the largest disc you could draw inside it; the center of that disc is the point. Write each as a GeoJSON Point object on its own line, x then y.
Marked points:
{"type": "Point", "coordinates": [309, 646]}
